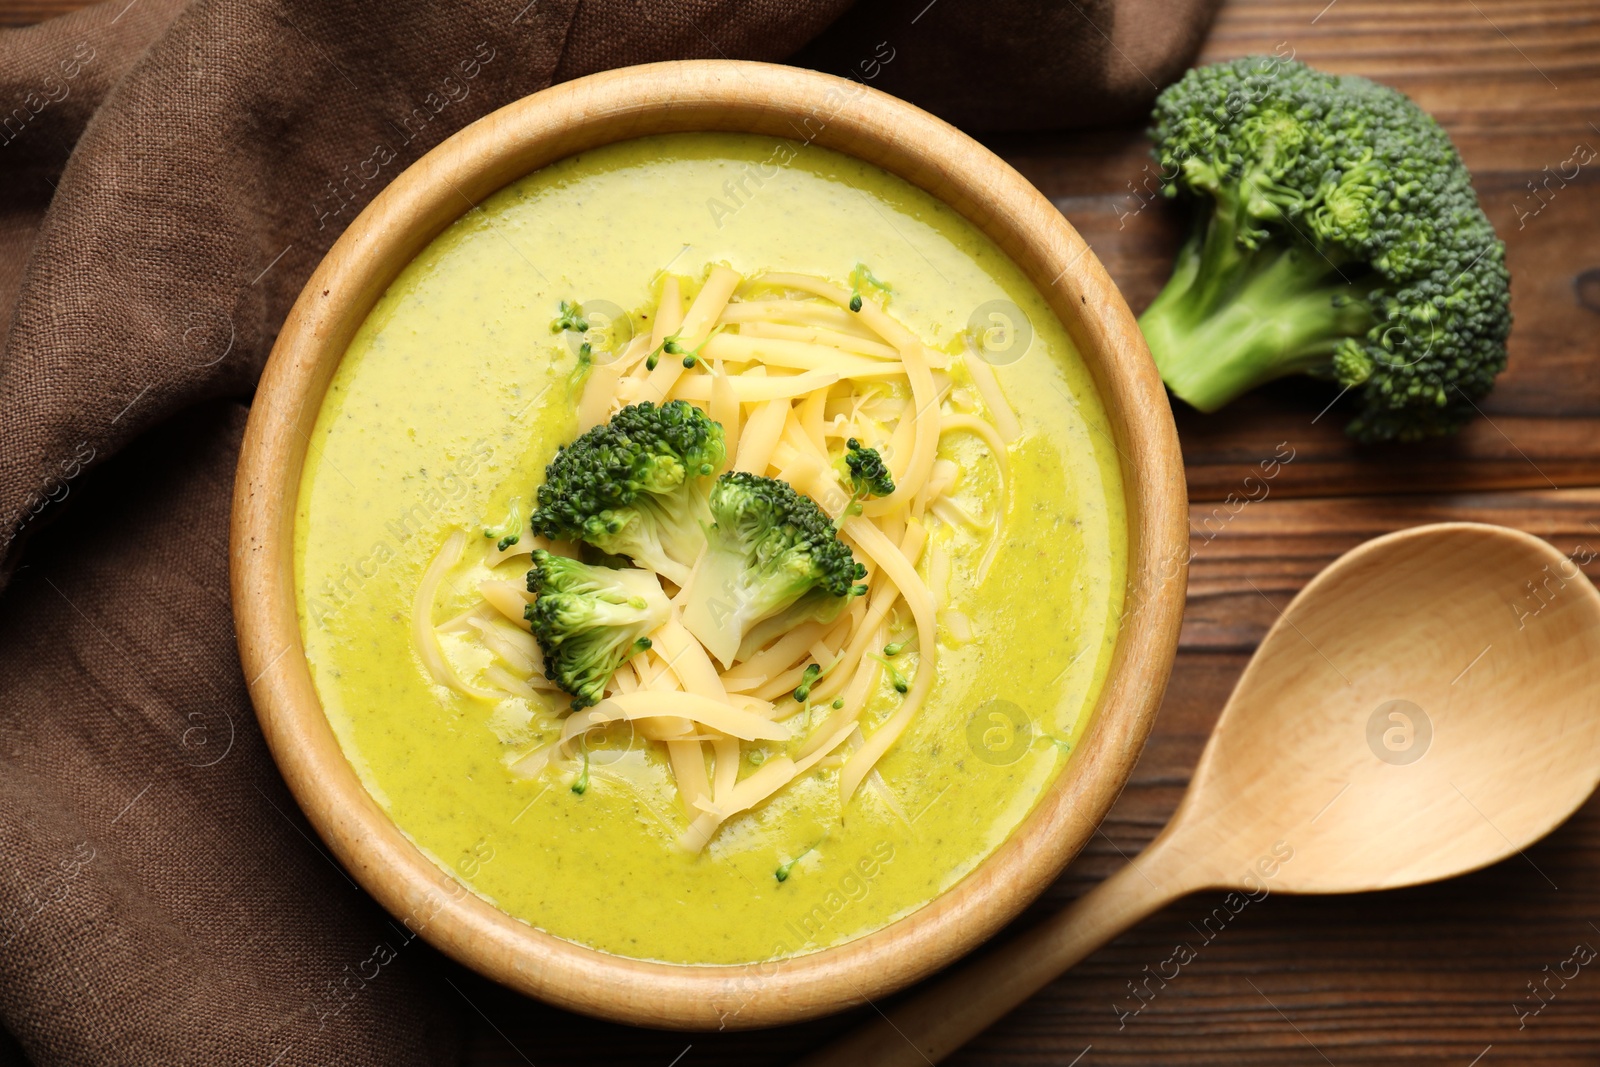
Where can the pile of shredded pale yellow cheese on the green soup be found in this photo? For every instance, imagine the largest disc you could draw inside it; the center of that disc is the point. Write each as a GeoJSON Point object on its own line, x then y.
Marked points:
{"type": "Point", "coordinates": [788, 380]}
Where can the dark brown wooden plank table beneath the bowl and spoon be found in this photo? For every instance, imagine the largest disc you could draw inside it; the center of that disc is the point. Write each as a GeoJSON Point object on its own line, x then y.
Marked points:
{"type": "Point", "coordinates": [1430, 975]}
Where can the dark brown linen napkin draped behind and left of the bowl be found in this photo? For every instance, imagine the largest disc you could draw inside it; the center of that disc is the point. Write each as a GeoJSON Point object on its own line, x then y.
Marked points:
{"type": "Point", "coordinates": [172, 175]}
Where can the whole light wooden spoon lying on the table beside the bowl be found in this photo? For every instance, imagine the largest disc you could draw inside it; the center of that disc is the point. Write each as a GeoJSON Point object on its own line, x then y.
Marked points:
{"type": "Point", "coordinates": [1426, 706]}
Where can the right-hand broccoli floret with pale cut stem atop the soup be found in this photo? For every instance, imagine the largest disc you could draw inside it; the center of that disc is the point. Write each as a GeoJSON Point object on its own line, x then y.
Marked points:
{"type": "Point", "coordinates": [770, 553]}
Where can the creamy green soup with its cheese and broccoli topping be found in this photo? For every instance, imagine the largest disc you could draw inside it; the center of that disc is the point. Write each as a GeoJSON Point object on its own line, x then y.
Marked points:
{"type": "Point", "coordinates": [710, 549]}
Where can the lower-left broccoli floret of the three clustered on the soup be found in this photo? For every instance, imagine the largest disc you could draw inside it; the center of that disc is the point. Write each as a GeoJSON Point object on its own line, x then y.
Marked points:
{"type": "Point", "coordinates": [590, 620]}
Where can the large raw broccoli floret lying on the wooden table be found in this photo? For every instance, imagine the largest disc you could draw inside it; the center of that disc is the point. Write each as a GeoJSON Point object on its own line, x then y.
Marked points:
{"type": "Point", "coordinates": [1338, 236]}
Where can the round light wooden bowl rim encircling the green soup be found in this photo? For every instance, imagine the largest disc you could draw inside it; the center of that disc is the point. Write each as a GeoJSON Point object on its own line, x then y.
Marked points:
{"type": "Point", "coordinates": [410, 214]}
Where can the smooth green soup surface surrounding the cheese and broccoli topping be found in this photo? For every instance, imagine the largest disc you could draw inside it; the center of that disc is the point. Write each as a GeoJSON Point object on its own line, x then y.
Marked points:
{"type": "Point", "coordinates": [455, 396]}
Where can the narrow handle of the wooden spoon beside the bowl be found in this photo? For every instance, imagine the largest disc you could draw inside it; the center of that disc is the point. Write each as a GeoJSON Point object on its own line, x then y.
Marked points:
{"type": "Point", "coordinates": [967, 999]}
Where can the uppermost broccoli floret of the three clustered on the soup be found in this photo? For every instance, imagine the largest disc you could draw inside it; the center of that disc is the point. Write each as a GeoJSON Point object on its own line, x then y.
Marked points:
{"type": "Point", "coordinates": [638, 487]}
